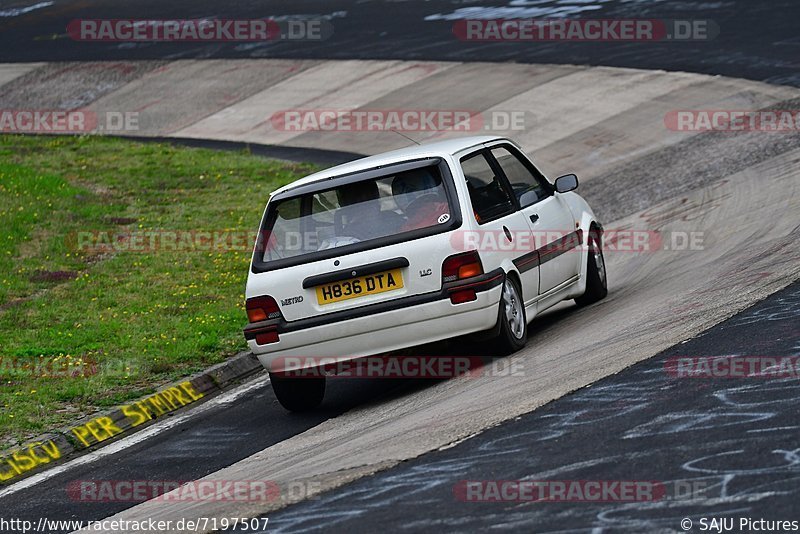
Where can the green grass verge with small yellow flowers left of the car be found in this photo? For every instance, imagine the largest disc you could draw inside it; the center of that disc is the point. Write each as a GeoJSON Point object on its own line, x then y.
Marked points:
{"type": "Point", "coordinates": [141, 318]}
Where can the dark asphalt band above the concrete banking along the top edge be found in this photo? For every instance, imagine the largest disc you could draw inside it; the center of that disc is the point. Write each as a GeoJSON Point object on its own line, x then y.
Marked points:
{"type": "Point", "coordinates": [757, 40]}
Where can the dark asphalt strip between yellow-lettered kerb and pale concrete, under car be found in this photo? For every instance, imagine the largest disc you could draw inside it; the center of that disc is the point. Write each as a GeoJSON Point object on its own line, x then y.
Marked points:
{"type": "Point", "coordinates": [229, 431]}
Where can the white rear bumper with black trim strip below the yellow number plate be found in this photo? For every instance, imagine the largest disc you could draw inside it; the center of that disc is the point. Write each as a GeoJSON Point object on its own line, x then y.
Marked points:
{"type": "Point", "coordinates": [384, 327]}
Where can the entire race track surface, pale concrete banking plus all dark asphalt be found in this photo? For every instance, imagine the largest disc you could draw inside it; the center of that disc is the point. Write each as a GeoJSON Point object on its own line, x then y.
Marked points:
{"type": "Point", "coordinates": [594, 399]}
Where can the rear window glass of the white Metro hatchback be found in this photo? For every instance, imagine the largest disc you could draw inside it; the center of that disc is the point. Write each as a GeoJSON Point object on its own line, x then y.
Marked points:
{"type": "Point", "coordinates": [373, 211]}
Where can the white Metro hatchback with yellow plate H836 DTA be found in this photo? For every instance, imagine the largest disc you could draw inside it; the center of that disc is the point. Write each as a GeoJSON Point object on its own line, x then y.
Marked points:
{"type": "Point", "coordinates": [414, 246]}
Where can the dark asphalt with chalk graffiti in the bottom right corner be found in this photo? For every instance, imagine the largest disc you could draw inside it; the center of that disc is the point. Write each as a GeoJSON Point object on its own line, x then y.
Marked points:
{"type": "Point", "coordinates": [721, 448]}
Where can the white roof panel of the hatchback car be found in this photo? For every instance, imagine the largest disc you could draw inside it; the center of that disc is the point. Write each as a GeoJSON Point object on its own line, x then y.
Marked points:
{"type": "Point", "coordinates": [427, 150]}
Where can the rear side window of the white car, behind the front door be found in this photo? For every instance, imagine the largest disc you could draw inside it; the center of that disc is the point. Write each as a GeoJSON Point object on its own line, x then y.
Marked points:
{"type": "Point", "coordinates": [490, 199]}
